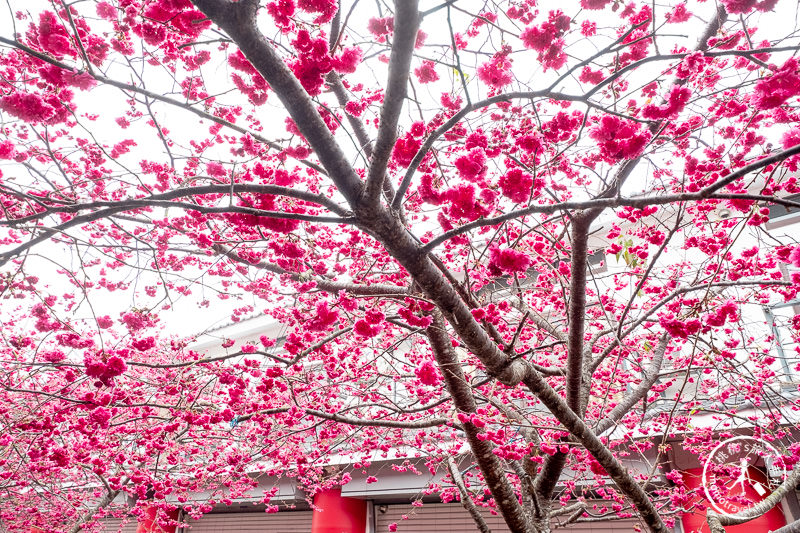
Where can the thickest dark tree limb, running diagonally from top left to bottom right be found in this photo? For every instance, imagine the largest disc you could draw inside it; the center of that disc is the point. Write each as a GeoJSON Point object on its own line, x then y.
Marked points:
{"type": "Point", "coordinates": [238, 20]}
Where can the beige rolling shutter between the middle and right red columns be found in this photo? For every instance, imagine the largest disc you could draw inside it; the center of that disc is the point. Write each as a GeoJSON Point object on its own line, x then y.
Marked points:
{"type": "Point", "coordinates": [449, 517]}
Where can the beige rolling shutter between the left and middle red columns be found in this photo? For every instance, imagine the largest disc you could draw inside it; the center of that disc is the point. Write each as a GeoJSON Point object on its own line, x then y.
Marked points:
{"type": "Point", "coordinates": [281, 522]}
